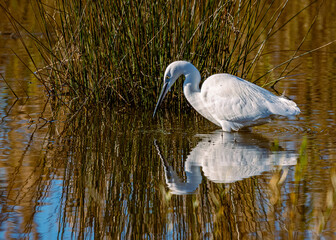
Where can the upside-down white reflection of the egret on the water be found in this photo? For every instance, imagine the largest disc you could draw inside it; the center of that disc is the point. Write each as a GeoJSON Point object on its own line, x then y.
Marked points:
{"type": "Point", "coordinates": [225, 158]}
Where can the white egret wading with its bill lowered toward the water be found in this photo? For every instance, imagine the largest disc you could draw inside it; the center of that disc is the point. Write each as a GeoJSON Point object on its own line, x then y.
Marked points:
{"type": "Point", "coordinates": [226, 100]}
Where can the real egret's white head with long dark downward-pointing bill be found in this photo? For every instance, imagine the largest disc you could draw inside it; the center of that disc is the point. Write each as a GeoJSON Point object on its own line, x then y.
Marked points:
{"type": "Point", "coordinates": [172, 73]}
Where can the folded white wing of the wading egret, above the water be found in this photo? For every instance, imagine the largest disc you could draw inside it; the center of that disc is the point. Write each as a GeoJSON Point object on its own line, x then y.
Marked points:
{"type": "Point", "coordinates": [229, 98]}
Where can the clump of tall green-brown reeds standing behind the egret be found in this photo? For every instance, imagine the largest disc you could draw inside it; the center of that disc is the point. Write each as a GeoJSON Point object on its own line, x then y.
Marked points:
{"type": "Point", "coordinates": [115, 52]}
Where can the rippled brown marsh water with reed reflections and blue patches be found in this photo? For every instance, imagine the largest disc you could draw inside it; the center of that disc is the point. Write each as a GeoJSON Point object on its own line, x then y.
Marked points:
{"type": "Point", "coordinates": [124, 175]}
